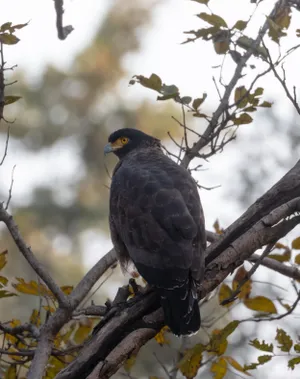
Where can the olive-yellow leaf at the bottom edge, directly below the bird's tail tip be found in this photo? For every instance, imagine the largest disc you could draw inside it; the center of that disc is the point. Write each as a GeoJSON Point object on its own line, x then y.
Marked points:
{"type": "Point", "coordinates": [191, 362]}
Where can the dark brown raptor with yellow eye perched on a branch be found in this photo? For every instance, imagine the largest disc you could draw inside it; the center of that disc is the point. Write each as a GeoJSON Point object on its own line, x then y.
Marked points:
{"type": "Point", "coordinates": [156, 221]}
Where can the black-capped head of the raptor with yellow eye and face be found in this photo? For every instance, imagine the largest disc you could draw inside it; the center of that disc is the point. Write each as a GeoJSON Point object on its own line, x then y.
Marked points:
{"type": "Point", "coordinates": [123, 141]}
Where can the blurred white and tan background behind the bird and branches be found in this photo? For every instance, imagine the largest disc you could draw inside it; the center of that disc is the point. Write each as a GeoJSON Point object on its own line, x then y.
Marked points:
{"type": "Point", "coordinates": [75, 93]}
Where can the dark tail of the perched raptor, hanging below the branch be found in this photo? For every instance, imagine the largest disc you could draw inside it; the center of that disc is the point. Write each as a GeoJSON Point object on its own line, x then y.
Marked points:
{"type": "Point", "coordinates": [181, 308]}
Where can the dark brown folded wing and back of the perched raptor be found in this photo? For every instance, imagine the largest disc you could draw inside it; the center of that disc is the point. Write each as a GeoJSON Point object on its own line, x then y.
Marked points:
{"type": "Point", "coordinates": [151, 218]}
